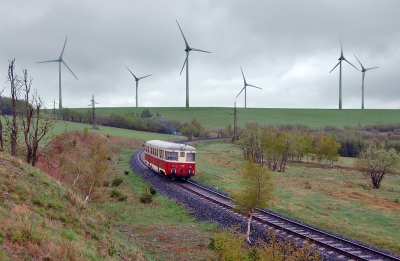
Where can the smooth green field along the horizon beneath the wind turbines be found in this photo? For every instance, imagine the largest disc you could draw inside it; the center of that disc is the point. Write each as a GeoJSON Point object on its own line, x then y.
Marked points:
{"type": "Point", "coordinates": [218, 118]}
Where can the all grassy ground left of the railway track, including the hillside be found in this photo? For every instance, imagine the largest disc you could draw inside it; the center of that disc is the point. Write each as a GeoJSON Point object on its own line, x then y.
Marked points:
{"type": "Point", "coordinates": [42, 217]}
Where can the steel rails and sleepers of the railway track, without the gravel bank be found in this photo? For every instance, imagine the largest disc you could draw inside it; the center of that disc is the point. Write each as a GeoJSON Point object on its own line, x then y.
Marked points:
{"type": "Point", "coordinates": [335, 245]}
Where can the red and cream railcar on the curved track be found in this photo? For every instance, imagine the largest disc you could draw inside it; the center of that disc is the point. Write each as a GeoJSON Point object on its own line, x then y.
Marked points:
{"type": "Point", "coordinates": [171, 159]}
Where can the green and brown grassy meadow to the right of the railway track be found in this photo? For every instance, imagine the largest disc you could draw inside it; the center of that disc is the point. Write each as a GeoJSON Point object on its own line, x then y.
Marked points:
{"type": "Point", "coordinates": [321, 196]}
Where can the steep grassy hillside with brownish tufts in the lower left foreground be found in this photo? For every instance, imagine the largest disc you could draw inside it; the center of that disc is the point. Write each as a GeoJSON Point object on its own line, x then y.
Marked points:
{"type": "Point", "coordinates": [42, 219]}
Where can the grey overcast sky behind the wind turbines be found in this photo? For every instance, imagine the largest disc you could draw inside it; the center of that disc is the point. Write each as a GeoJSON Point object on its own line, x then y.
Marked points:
{"type": "Point", "coordinates": [285, 47]}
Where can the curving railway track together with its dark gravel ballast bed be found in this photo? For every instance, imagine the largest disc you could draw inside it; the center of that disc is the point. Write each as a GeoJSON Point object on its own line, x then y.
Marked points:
{"type": "Point", "coordinates": [332, 246]}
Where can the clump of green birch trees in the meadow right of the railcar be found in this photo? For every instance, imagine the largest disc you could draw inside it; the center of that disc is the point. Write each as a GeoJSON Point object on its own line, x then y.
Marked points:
{"type": "Point", "coordinates": [274, 147]}
